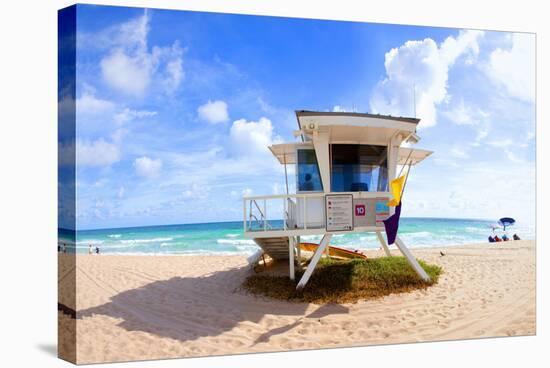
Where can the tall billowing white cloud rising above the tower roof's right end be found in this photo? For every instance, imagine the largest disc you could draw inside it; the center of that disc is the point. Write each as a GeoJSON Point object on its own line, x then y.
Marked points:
{"type": "Point", "coordinates": [419, 70]}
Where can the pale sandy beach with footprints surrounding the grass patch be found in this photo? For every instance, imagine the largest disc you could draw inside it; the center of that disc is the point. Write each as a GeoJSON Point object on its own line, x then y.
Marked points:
{"type": "Point", "coordinates": [151, 307]}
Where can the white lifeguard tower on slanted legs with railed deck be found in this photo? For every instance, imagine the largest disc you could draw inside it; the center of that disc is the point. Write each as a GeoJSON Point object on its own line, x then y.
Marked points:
{"type": "Point", "coordinates": [343, 166]}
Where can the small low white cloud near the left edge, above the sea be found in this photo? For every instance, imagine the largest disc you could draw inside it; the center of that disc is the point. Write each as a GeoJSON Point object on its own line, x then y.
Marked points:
{"type": "Point", "coordinates": [96, 153]}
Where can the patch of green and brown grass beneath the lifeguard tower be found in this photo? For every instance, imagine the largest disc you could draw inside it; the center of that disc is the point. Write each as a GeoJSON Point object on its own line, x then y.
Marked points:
{"type": "Point", "coordinates": [343, 281]}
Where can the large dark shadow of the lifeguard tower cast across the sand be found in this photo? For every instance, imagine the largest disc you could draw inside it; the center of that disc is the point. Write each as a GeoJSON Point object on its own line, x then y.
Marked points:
{"type": "Point", "coordinates": [187, 308]}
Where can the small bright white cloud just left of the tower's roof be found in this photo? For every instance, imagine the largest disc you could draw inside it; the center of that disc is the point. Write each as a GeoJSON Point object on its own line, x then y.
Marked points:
{"type": "Point", "coordinates": [252, 137]}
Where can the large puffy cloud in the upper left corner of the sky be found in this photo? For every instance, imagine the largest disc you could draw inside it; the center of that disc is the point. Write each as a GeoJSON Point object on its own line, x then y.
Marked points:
{"type": "Point", "coordinates": [131, 67]}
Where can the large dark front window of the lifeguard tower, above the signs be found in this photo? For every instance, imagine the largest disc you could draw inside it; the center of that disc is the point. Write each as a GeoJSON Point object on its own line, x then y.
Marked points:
{"type": "Point", "coordinates": [359, 168]}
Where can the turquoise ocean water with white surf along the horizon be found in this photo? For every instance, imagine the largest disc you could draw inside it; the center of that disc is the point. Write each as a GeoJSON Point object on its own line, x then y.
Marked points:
{"type": "Point", "coordinates": [228, 238]}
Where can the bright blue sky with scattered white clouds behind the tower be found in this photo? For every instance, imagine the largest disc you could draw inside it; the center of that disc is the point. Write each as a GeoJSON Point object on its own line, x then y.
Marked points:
{"type": "Point", "coordinates": [175, 110]}
